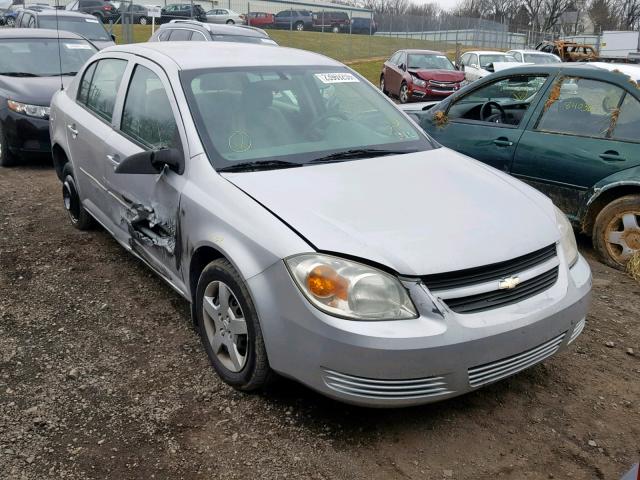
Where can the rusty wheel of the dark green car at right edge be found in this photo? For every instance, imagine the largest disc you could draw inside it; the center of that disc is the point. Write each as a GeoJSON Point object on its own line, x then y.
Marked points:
{"type": "Point", "coordinates": [616, 231]}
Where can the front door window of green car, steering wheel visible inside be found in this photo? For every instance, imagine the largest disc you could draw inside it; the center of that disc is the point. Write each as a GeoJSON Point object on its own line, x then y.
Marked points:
{"type": "Point", "coordinates": [514, 94]}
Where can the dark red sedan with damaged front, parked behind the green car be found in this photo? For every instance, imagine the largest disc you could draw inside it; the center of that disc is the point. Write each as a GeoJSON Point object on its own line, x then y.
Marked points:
{"type": "Point", "coordinates": [419, 75]}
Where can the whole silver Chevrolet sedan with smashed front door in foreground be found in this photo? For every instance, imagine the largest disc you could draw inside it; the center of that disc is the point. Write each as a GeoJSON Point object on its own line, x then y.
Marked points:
{"type": "Point", "coordinates": [315, 230]}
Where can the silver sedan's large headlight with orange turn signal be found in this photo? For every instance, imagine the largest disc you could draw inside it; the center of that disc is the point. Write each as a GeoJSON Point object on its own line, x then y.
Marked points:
{"type": "Point", "coordinates": [348, 289]}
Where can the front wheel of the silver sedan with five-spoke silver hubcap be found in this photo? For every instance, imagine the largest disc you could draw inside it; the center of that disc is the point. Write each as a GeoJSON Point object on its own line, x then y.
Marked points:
{"type": "Point", "coordinates": [229, 328]}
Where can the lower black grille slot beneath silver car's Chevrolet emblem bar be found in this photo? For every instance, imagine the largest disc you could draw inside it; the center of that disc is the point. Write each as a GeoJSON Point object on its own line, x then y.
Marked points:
{"type": "Point", "coordinates": [501, 298]}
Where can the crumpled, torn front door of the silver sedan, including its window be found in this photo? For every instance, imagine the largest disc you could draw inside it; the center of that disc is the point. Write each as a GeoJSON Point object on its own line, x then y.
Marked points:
{"type": "Point", "coordinates": [146, 207]}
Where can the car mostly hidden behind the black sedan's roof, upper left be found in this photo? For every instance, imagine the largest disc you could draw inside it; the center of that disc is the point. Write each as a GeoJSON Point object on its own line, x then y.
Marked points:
{"type": "Point", "coordinates": [80, 23]}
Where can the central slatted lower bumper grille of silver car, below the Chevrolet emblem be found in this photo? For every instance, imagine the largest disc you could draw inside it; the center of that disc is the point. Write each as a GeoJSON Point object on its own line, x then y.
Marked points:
{"type": "Point", "coordinates": [494, 371]}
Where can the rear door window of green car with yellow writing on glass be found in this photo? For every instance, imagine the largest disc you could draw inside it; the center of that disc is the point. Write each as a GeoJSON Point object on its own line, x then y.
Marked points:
{"type": "Point", "coordinates": [580, 106]}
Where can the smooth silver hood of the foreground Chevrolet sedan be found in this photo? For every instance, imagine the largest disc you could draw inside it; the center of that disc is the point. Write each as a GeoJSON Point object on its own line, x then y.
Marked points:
{"type": "Point", "coordinates": [420, 213]}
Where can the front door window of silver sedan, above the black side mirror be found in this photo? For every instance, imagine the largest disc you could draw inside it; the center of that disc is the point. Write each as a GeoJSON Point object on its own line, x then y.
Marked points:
{"type": "Point", "coordinates": [147, 116]}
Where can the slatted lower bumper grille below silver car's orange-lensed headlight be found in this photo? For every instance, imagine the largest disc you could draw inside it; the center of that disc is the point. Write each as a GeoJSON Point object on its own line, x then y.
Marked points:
{"type": "Point", "coordinates": [386, 389]}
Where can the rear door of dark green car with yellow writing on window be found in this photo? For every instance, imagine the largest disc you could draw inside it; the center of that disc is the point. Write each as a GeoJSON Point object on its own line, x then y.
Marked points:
{"type": "Point", "coordinates": [586, 129]}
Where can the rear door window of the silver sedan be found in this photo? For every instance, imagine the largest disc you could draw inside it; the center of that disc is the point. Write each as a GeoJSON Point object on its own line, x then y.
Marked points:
{"type": "Point", "coordinates": [101, 96]}
